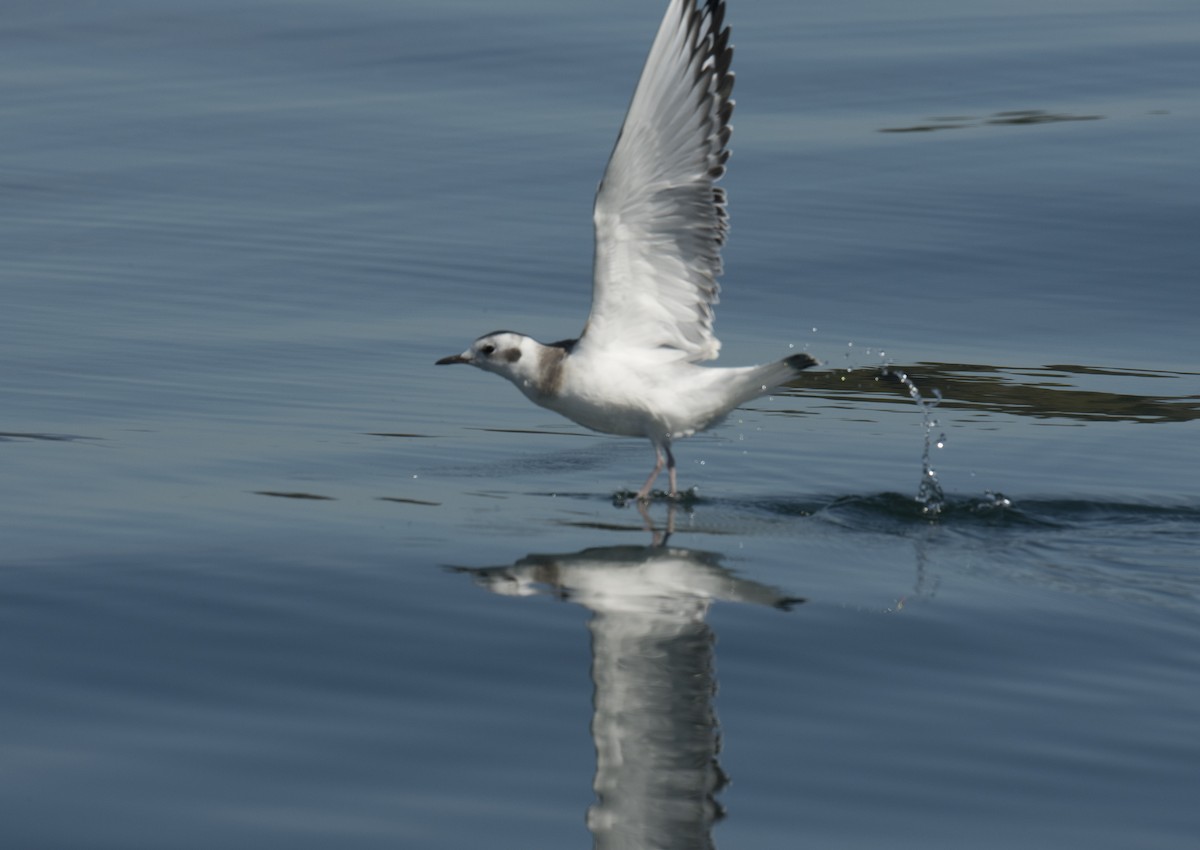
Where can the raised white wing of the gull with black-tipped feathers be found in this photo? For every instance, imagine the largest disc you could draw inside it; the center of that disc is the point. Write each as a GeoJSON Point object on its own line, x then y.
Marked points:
{"type": "Point", "coordinates": [659, 220]}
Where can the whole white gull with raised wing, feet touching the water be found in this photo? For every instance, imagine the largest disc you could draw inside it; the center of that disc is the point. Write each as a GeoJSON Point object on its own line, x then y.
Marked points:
{"type": "Point", "coordinates": [661, 223]}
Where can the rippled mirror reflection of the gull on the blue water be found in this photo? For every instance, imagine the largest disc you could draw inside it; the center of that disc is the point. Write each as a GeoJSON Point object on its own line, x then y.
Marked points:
{"type": "Point", "coordinates": [656, 733]}
